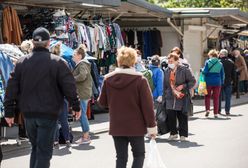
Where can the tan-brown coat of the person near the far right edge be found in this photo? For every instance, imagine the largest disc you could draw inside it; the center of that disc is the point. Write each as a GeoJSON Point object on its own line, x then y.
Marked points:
{"type": "Point", "coordinates": [241, 68]}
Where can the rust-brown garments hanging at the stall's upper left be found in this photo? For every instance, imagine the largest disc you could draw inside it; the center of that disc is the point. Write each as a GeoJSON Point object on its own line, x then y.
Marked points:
{"type": "Point", "coordinates": [12, 31]}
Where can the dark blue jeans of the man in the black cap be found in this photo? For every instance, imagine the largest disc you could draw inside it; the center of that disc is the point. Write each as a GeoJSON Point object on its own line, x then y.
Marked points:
{"type": "Point", "coordinates": [41, 135]}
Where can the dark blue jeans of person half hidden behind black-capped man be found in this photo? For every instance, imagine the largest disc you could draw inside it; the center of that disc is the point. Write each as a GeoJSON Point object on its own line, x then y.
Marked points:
{"type": "Point", "coordinates": [63, 120]}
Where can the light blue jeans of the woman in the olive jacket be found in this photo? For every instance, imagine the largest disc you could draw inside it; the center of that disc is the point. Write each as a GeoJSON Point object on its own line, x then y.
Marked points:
{"type": "Point", "coordinates": [84, 120]}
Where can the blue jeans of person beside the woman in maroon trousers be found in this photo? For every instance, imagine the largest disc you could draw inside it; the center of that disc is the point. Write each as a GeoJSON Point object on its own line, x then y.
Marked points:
{"type": "Point", "coordinates": [226, 91]}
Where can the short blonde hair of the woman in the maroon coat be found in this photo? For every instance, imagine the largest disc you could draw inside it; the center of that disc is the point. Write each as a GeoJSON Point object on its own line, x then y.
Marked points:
{"type": "Point", "coordinates": [126, 56]}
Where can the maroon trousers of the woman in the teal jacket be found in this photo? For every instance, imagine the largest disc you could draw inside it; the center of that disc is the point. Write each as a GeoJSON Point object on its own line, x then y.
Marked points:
{"type": "Point", "coordinates": [215, 90]}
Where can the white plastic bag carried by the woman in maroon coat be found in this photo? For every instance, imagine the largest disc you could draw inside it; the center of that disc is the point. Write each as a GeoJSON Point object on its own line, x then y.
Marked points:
{"type": "Point", "coordinates": [153, 160]}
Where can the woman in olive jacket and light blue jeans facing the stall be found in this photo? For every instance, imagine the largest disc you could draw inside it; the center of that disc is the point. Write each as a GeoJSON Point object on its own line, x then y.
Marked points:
{"type": "Point", "coordinates": [84, 83]}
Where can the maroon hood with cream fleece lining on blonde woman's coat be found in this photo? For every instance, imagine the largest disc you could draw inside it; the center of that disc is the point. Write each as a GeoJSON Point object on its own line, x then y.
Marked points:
{"type": "Point", "coordinates": [121, 78]}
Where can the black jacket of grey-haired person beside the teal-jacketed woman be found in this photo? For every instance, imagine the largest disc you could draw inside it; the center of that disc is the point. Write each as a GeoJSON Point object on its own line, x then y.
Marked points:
{"type": "Point", "coordinates": [229, 69]}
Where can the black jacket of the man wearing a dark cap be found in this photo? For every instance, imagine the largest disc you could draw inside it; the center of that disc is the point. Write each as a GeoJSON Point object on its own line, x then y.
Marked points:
{"type": "Point", "coordinates": [38, 85]}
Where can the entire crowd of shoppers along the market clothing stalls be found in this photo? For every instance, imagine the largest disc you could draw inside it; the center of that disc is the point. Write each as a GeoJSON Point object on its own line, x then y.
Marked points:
{"type": "Point", "coordinates": [44, 88]}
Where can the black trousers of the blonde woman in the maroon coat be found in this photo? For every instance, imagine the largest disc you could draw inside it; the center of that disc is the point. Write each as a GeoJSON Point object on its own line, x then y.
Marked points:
{"type": "Point", "coordinates": [138, 149]}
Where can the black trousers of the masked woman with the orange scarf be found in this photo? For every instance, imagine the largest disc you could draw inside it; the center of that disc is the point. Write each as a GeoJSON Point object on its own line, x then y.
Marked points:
{"type": "Point", "coordinates": [173, 115]}
